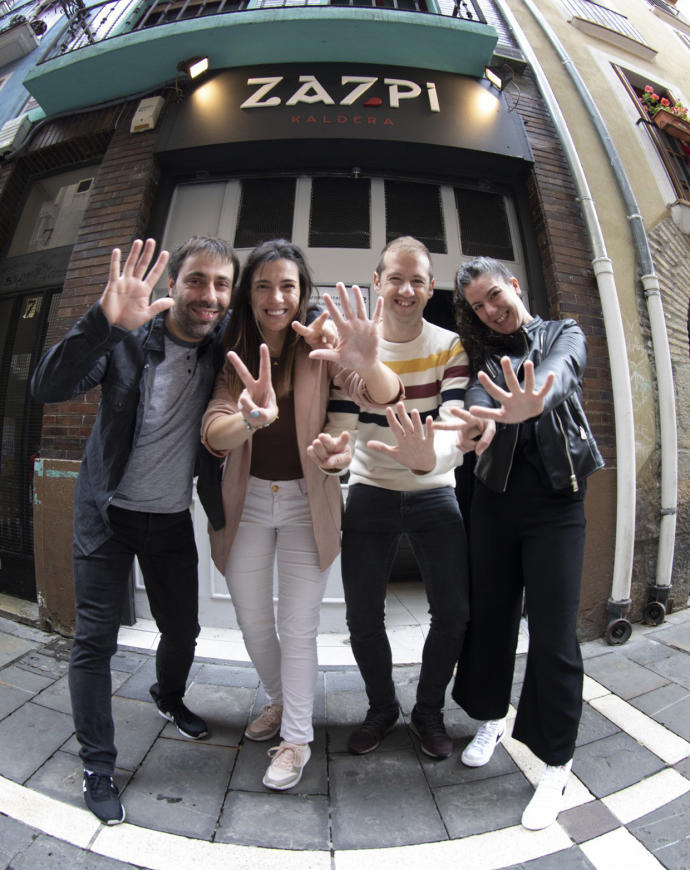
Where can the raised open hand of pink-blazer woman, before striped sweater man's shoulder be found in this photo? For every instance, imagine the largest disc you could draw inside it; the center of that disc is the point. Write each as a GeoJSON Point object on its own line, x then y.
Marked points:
{"type": "Point", "coordinates": [358, 337]}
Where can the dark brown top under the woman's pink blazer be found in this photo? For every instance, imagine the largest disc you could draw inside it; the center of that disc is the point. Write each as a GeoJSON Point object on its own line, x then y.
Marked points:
{"type": "Point", "coordinates": [275, 454]}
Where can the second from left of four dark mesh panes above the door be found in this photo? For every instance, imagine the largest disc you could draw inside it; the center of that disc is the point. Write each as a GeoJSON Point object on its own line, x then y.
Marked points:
{"type": "Point", "coordinates": [339, 214]}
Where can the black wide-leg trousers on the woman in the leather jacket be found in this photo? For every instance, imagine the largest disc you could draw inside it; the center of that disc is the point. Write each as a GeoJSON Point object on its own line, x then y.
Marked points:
{"type": "Point", "coordinates": [529, 537]}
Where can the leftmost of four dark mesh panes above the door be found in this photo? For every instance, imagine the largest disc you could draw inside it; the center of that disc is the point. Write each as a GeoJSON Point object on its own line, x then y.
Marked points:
{"type": "Point", "coordinates": [266, 209]}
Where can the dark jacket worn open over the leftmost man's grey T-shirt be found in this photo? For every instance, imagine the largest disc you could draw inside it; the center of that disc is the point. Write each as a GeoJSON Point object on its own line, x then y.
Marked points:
{"type": "Point", "coordinates": [93, 352]}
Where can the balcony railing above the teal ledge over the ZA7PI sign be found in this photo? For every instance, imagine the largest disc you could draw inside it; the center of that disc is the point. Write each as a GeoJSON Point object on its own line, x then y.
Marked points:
{"type": "Point", "coordinates": [96, 22]}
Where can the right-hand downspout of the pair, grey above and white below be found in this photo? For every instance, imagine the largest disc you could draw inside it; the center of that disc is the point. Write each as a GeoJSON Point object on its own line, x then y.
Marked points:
{"type": "Point", "coordinates": [657, 594]}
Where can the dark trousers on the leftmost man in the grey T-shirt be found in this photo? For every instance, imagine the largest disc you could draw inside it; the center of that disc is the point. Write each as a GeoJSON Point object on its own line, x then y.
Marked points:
{"type": "Point", "coordinates": [165, 547]}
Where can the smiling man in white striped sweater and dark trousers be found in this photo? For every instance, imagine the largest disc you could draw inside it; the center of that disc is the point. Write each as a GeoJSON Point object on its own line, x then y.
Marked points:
{"type": "Point", "coordinates": [402, 482]}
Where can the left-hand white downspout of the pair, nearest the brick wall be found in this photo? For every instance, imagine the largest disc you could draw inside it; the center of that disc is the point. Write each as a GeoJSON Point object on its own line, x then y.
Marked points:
{"type": "Point", "coordinates": [618, 629]}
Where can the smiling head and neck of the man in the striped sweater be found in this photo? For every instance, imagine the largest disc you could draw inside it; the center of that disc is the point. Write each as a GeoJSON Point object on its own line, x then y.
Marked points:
{"type": "Point", "coordinates": [406, 285]}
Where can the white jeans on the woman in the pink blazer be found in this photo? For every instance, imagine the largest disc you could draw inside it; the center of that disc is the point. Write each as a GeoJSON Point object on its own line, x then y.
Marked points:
{"type": "Point", "coordinates": [276, 522]}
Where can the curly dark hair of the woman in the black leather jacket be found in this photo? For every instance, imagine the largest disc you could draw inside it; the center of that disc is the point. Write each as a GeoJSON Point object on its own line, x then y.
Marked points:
{"type": "Point", "coordinates": [478, 340]}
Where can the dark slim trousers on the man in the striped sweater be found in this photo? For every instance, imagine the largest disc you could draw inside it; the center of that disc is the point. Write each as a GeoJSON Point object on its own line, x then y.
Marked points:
{"type": "Point", "coordinates": [374, 520]}
